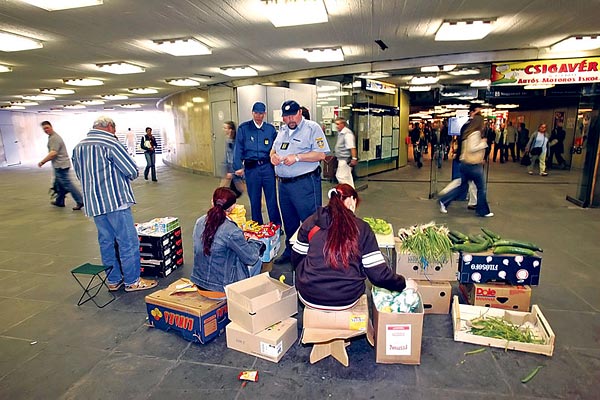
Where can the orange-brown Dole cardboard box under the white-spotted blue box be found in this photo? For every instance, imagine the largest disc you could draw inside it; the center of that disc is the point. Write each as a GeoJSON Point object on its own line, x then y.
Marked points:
{"type": "Point", "coordinates": [497, 295]}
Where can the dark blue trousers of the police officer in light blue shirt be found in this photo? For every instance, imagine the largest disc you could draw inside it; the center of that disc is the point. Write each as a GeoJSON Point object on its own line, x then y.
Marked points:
{"type": "Point", "coordinates": [298, 201]}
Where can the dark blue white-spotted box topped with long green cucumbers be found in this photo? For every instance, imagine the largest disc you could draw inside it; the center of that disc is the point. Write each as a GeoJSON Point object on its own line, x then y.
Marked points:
{"type": "Point", "coordinates": [488, 257]}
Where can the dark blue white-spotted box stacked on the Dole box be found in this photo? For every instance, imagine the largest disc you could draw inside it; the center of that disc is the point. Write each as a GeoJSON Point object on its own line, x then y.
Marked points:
{"type": "Point", "coordinates": [499, 281]}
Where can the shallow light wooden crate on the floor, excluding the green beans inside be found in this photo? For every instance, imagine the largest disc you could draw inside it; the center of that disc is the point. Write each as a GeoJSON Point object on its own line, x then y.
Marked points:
{"type": "Point", "coordinates": [461, 313]}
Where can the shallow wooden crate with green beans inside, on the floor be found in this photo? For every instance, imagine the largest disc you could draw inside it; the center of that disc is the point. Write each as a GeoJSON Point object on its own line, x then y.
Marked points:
{"type": "Point", "coordinates": [510, 330]}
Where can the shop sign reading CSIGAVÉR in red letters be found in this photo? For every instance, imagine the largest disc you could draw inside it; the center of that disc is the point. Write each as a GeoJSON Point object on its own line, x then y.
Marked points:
{"type": "Point", "coordinates": [562, 71]}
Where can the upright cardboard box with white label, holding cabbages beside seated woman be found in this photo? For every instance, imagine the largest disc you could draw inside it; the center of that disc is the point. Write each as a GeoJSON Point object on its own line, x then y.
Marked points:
{"type": "Point", "coordinates": [398, 336]}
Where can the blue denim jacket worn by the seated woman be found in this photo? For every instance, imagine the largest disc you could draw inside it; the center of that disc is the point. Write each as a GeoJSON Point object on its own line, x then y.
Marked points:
{"type": "Point", "coordinates": [230, 256]}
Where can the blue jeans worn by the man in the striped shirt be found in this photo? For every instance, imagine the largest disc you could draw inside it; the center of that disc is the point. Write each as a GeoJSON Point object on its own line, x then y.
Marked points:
{"type": "Point", "coordinates": [119, 226]}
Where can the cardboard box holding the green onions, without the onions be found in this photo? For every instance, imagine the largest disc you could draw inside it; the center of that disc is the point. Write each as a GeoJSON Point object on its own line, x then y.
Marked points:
{"type": "Point", "coordinates": [409, 266]}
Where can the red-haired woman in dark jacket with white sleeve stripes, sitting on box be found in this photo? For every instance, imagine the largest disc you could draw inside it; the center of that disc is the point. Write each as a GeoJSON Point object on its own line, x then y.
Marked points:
{"type": "Point", "coordinates": [335, 253]}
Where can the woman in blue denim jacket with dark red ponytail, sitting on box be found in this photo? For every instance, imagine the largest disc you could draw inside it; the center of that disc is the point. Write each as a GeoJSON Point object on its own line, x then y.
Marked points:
{"type": "Point", "coordinates": [221, 253]}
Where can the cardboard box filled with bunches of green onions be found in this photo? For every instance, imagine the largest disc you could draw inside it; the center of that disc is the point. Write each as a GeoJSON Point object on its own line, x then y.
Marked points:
{"type": "Point", "coordinates": [425, 252]}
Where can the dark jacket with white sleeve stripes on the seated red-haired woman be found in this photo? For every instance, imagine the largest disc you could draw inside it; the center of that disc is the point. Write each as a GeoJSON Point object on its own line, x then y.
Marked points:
{"type": "Point", "coordinates": [321, 284]}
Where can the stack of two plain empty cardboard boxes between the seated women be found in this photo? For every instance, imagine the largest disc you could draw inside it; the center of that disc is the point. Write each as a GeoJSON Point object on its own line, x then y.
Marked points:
{"type": "Point", "coordinates": [260, 309]}
